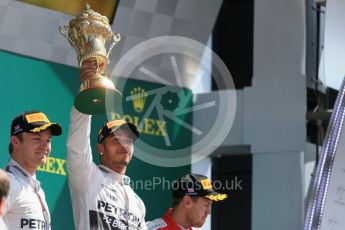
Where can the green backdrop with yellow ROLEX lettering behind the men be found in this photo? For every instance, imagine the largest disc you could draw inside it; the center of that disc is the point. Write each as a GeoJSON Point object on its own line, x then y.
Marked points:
{"type": "Point", "coordinates": [29, 84]}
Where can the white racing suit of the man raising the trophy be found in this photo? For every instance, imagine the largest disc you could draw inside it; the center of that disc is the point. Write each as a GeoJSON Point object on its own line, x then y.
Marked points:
{"type": "Point", "coordinates": [101, 198]}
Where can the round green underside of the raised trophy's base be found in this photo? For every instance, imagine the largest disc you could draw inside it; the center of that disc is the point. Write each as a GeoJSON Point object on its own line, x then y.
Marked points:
{"type": "Point", "coordinates": [94, 101]}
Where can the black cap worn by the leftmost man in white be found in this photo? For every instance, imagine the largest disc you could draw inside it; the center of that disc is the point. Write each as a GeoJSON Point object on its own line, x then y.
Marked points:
{"type": "Point", "coordinates": [34, 122]}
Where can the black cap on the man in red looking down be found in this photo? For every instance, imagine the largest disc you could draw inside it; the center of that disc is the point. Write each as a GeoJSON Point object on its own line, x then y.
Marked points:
{"type": "Point", "coordinates": [196, 185]}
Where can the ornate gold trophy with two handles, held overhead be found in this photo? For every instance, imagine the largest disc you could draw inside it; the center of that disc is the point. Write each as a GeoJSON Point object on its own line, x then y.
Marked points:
{"type": "Point", "coordinates": [88, 34]}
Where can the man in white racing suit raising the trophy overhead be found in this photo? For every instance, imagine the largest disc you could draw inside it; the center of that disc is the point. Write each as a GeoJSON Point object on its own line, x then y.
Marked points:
{"type": "Point", "coordinates": [101, 195]}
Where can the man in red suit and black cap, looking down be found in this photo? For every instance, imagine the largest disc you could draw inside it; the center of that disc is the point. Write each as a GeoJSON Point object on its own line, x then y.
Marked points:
{"type": "Point", "coordinates": [192, 200]}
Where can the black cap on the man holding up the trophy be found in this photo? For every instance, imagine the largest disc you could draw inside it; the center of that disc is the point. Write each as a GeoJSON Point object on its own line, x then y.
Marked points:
{"type": "Point", "coordinates": [111, 126]}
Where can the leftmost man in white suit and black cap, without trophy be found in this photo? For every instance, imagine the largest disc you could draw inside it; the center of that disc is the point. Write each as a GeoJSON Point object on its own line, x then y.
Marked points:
{"type": "Point", "coordinates": [30, 145]}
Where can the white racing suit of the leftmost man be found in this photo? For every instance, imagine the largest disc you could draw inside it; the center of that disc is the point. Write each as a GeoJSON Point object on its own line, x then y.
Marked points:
{"type": "Point", "coordinates": [26, 207]}
